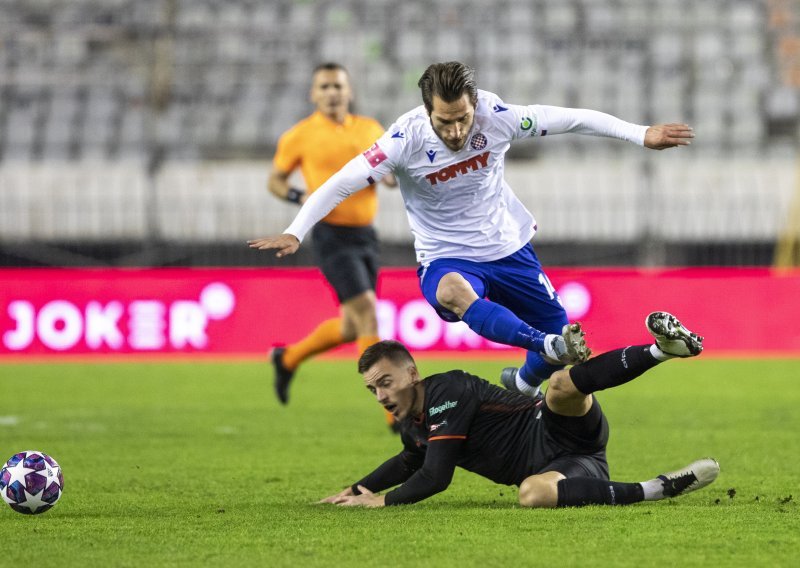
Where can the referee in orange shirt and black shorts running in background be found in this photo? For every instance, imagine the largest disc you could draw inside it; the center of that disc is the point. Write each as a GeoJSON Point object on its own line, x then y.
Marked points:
{"type": "Point", "coordinates": [345, 242]}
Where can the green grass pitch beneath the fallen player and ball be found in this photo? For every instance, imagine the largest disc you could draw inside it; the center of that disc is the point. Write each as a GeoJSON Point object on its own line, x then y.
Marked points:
{"type": "Point", "coordinates": [192, 464]}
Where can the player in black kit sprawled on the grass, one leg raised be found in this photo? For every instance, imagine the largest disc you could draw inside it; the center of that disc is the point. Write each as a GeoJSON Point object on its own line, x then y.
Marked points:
{"type": "Point", "coordinates": [553, 448]}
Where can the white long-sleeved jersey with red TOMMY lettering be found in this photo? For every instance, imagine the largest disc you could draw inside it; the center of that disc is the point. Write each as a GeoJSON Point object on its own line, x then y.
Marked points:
{"type": "Point", "coordinates": [458, 203]}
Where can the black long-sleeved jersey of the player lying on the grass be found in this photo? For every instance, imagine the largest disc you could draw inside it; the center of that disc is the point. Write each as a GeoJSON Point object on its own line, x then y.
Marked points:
{"type": "Point", "coordinates": [470, 423]}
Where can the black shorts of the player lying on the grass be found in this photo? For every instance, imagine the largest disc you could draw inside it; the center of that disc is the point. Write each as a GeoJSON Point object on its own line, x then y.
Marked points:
{"type": "Point", "coordinates": [577, 444]}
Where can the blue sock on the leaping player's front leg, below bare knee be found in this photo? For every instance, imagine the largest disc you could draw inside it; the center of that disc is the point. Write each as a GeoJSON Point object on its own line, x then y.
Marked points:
{"type": "Point", "coordinates": [499, 324]}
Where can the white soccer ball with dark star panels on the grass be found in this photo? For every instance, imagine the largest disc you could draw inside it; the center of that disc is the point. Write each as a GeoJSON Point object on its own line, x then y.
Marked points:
{"type": "Point", "coordinates": [31, 482]}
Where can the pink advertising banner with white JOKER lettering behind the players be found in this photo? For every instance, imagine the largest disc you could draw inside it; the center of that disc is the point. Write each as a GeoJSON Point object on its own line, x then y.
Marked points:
{"type": "Point", "coordinates": [243, 312]}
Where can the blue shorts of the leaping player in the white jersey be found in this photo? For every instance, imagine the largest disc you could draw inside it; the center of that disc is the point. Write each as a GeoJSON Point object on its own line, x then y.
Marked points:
{"type": "Point", "coordinates": [516, 282]}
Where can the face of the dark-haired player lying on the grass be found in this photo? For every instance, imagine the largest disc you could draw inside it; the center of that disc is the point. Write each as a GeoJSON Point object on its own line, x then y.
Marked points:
{"type": "Point", "coordinates": [394, 387]}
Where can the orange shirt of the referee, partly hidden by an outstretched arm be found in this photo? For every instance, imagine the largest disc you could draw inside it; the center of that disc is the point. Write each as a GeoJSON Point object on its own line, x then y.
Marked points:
{"type": "Point", "coordinates": [321, 147]}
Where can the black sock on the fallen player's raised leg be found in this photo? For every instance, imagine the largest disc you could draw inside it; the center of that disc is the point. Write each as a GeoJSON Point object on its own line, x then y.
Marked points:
{"type": "Point", "coordinates": [613, 368]}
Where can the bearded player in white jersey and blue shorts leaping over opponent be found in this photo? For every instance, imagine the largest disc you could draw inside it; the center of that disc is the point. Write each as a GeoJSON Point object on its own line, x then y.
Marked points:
{"type": "Point", "coordinates": [471, 233]}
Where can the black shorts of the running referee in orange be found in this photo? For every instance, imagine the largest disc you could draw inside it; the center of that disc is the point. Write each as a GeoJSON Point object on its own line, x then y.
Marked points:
{"type": "Point", "coordinates": [348, 257]}
